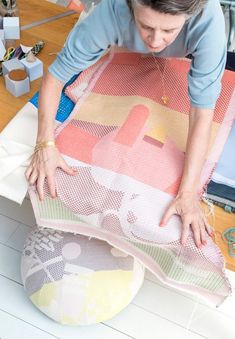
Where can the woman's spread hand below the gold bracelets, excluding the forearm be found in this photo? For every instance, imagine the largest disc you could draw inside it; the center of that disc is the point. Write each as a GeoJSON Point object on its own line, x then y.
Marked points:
{"type": "Point", "coordinates": [43, 166]}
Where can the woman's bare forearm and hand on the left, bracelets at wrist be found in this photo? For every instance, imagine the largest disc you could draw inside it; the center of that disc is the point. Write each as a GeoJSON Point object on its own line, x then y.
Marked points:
{"type": "Point", "coordinates": [45, 161]}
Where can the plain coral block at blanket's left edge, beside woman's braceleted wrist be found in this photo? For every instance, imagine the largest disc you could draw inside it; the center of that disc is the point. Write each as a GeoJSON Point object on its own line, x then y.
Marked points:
{"type": "Point", "coordinates": [76, 143]}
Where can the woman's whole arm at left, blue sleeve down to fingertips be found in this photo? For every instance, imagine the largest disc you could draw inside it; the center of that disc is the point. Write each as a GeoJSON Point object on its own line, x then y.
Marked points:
{"type": "Point", "coordinates": [82, 49]}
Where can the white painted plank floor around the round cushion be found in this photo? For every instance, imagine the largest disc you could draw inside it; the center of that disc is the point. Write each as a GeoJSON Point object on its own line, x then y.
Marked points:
{"type": "Point", "coordinates": [157, 312]}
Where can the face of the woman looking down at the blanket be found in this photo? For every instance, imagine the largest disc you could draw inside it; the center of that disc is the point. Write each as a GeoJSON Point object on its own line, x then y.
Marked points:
{"type": "Point", "coordinates": [158, 30]}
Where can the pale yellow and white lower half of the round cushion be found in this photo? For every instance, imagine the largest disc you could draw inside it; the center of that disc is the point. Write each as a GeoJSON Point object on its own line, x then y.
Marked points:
{"type": "Point", "coordinates": [86, 298]}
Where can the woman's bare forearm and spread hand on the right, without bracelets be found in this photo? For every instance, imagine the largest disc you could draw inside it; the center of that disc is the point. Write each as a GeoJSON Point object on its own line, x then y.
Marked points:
{"type": "Point", "coordinates": [187, 204]}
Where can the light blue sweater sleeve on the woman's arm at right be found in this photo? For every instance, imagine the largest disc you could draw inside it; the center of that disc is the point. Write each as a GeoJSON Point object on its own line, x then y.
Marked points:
{"type": "Point", "coordinates": [209, 59]}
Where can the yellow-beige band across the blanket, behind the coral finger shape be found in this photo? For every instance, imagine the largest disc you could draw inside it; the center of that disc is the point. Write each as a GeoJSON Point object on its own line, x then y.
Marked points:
{"type": "Point", "coordinates": [163, 122]}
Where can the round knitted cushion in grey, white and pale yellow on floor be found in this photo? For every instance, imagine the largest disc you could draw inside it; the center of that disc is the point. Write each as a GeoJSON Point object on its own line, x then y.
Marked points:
{"type": "Point", "coordinates": [77, 280]}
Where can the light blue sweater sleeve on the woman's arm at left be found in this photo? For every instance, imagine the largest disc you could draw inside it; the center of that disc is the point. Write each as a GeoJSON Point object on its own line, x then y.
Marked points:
{"type": "Point", "coordinates": [87, 41]}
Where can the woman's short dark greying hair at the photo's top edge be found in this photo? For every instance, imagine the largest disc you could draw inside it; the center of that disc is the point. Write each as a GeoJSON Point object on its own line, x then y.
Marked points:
{"type": "Point", "coordinates": [173, 7]}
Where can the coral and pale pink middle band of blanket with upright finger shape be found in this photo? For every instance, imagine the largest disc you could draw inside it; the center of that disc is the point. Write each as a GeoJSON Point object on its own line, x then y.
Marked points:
{"type": "Point", "coordinates": [125, 151]}
